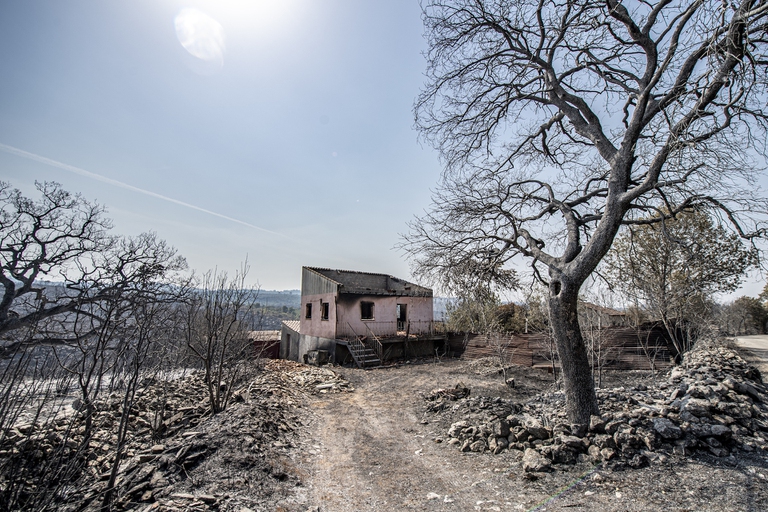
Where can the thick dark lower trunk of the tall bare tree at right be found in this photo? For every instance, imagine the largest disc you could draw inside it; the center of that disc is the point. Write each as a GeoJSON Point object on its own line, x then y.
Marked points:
{"type": "Point", "coordinates": [580, 398]}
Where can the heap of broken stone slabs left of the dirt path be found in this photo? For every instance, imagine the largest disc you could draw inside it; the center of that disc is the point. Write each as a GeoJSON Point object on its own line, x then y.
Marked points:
{"type": "Point", "coordinates": [172, 437]}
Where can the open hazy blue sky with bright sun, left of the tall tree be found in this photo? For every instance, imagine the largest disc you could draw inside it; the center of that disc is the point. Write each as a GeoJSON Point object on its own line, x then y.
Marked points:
{"type": "Point", "coordinates": [291, 120]}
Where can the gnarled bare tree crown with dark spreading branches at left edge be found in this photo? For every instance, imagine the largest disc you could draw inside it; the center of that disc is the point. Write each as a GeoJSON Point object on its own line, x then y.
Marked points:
{"type": "Point", "coordinates": [65, 239]}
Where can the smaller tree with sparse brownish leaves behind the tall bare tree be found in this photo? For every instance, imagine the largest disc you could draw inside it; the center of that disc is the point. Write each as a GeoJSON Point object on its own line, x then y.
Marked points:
{"type": "Point", "coordinates": [673, 269]}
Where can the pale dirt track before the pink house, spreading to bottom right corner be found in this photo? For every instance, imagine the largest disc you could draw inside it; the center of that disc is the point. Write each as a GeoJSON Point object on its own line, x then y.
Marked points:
{"type": "Point", "coordinates": [375, 450]}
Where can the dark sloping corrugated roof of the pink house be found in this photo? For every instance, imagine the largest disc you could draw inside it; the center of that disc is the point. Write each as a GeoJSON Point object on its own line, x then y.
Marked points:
{"type": "Point", "coordinates": [369, 283]}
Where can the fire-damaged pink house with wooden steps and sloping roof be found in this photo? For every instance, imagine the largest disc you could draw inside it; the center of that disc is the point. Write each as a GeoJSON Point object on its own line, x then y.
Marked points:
{"type": "Point", "coordinates": [364, 316]}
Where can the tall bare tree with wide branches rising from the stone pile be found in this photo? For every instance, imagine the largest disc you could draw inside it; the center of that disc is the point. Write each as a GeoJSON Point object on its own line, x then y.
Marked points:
{"type": "Point", "coordinates": [559, 121]}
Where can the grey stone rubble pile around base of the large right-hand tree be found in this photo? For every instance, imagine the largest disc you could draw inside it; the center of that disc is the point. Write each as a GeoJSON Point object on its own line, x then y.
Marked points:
{"type": "Point", "coordinates": [716, 404]}
